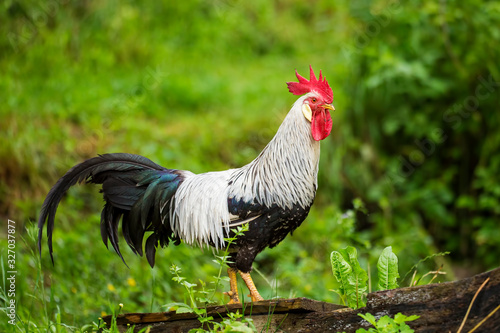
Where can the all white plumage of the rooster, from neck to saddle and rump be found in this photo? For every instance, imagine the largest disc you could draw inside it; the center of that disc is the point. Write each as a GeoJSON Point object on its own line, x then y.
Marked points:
{"type": "Point", "coordinates": [284, 174]}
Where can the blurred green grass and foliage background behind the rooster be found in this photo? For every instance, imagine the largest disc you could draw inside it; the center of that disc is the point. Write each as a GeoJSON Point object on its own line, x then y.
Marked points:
{"type": "Point", "coordinates": [412, 161]}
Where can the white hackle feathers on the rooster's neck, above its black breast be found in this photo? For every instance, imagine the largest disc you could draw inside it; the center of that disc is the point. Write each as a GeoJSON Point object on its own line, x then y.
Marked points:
{"type": "Point", "coordinates": [285, 172]}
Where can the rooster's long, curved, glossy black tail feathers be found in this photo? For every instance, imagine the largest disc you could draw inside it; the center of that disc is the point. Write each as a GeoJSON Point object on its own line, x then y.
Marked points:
{"type": "Point", "coordinates": [134, 189]}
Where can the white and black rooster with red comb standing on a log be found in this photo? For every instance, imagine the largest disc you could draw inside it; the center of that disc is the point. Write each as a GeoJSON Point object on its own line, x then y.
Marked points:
{"type": "Point", "coordinates": [272, 194]}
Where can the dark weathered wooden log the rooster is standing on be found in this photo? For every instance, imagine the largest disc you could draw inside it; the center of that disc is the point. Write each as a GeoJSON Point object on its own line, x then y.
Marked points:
{"type": "Point", "coordinates": [441, 308]}
